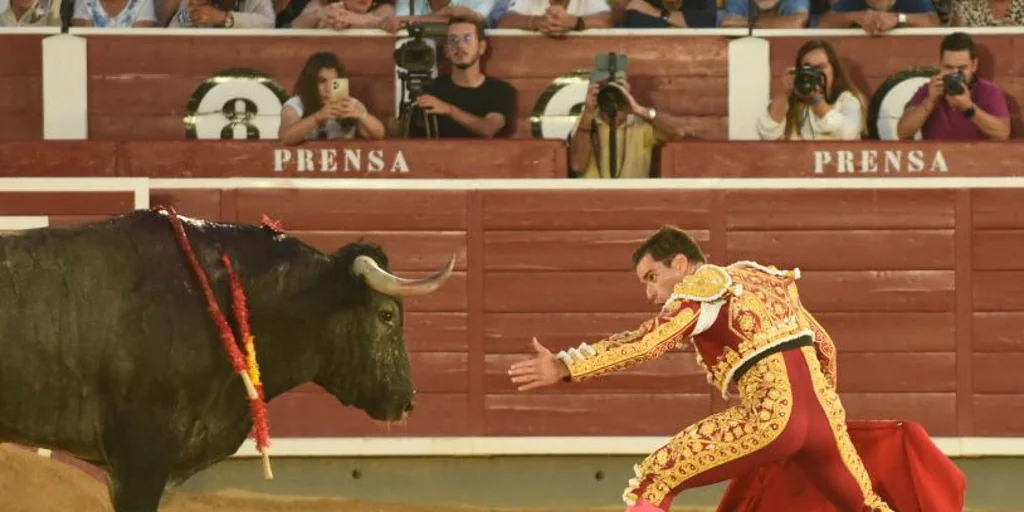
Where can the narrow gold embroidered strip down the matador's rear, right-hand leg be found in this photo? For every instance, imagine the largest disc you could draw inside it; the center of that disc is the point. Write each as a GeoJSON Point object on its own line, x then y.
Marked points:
{"type": "Point", "coordinates": [837, 418]}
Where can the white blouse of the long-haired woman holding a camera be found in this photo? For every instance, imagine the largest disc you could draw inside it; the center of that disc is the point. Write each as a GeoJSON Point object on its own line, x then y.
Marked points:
{"type": "Point", "coordinates": [844, 122]}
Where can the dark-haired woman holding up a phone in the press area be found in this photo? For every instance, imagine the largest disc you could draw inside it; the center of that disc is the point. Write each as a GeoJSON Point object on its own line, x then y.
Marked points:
{"type": "Point", "coordinates": [313, 114]}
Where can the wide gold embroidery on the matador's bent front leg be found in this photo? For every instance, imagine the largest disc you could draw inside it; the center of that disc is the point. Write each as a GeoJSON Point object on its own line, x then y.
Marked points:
{"type": "Point", "coordinates": [762, 416]}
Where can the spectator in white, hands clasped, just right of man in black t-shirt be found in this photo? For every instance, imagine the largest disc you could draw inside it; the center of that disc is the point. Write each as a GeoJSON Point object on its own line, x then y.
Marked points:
{"type": "Point", "coordinates": [558, 18]}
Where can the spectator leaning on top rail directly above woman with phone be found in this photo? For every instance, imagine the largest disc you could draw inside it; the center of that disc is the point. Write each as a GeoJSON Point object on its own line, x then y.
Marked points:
{"type": "Point", "coordinates": [340, 15]}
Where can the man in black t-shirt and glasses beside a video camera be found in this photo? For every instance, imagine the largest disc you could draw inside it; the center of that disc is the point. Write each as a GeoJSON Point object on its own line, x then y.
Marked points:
{"type": "Point", "coordinates": [467, 104]}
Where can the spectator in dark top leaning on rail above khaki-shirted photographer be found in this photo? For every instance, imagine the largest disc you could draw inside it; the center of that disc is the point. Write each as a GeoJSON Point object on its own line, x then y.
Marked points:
{"type": "Point", "coordinates": [674, 14]}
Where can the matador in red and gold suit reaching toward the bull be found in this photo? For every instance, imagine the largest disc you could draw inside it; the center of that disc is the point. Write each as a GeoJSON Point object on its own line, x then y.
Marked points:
{"type": "Point", "coordinates": [752, 335]}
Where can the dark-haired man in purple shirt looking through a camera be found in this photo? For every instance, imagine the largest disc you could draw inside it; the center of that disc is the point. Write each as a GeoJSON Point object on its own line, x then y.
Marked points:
{"type": "Point", "coordinates": [978, 113]}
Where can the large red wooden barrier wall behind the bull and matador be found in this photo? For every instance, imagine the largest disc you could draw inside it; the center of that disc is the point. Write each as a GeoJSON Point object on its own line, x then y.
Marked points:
{"type": "Point", "coordinates": [920, 289]}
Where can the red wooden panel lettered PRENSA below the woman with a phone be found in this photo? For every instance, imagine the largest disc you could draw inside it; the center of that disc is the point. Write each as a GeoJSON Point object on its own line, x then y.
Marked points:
{"type": "Point", "coordinates": [327, 160]}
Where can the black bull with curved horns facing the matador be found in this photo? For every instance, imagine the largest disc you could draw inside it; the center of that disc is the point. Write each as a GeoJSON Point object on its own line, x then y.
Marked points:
{"type": "Point", "coordinates": [108, 351]}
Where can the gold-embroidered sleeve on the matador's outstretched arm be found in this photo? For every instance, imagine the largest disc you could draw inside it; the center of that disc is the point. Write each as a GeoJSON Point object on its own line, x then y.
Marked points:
{"type": "Point", "coordinates": [608, 357]}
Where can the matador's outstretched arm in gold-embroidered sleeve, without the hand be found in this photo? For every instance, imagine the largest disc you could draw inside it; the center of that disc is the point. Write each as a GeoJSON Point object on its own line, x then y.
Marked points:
{"type": "Point", "coordinates": [673, 326]}
